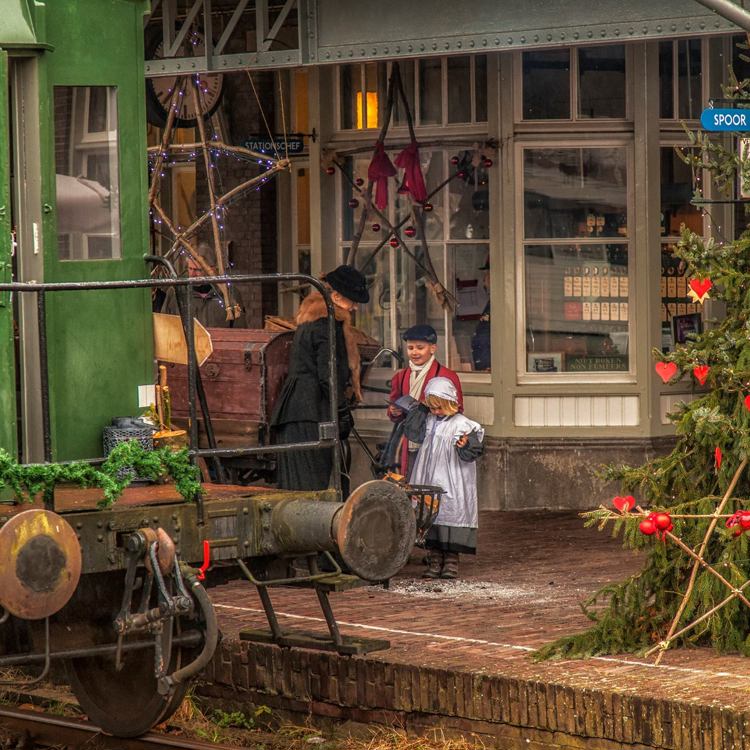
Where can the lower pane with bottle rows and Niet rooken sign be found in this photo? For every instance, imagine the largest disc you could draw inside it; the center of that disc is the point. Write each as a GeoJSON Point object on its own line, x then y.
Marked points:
{"type": "Point", "coordinates": [577, 308]}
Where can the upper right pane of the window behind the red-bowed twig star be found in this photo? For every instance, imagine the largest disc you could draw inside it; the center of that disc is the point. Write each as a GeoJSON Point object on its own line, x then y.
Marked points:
{"type": "Point", "coordinates": [469, 200]}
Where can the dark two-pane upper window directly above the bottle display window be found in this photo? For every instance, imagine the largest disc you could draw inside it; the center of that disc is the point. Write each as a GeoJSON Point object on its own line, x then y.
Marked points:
{"type": "Point", "coordinates": [578, 83]}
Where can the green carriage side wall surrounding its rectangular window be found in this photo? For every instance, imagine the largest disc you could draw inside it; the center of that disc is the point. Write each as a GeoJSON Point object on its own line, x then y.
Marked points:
{"type": "Point", "coordinates": [100, 343]}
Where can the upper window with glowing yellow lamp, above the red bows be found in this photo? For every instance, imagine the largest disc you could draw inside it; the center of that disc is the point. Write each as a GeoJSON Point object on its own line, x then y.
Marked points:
{"type": "Point", "coordinates": [439, 90]}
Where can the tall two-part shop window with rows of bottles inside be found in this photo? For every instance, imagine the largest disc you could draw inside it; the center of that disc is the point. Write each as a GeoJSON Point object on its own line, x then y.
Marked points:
{"type": "Point", "coordinates": [575, 258]}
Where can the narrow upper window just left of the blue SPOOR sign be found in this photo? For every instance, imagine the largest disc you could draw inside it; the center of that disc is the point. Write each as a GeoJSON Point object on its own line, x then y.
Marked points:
{"type": "Point", "coordinates": [680, 79]}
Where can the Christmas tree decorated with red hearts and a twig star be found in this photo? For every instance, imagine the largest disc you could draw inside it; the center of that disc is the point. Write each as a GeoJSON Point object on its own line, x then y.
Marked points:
{"type": "Point", "coordinates": [691, 508]}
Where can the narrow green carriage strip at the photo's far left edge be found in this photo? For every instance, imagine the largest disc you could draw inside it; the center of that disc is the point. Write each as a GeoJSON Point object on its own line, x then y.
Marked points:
{"type": "Point", "coordinates": [7, 357]}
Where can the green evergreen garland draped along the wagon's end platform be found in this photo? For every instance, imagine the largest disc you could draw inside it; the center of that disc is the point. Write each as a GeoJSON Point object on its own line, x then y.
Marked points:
{"type": "Point", "coordinates": [127, 460]}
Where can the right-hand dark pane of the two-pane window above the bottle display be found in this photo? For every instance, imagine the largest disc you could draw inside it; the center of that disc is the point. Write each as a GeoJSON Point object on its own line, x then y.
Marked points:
{"type": "Point", "coordinates": [601, 76]}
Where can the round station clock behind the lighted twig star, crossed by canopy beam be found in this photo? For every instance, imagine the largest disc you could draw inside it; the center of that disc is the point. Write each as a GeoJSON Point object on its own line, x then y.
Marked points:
{"type": "Point", "coordinates": [159, 91]}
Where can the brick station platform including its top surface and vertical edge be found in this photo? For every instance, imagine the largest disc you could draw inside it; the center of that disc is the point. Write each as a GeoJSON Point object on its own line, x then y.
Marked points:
{"type": "Point", "coordinates": [460, 652]}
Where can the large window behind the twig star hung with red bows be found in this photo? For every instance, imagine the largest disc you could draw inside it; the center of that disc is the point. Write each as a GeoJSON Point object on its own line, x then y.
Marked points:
{"type": "Point", "coordinates": [457, 231]}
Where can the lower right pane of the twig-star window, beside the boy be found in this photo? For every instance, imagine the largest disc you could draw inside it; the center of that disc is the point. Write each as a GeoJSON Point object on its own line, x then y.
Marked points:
{"type": "Point", "coordinates": [470, 350]}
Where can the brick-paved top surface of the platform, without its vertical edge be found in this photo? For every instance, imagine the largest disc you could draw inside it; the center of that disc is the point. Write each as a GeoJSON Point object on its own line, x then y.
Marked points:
{"type": "Point", "coordinates": [521, 591]}
